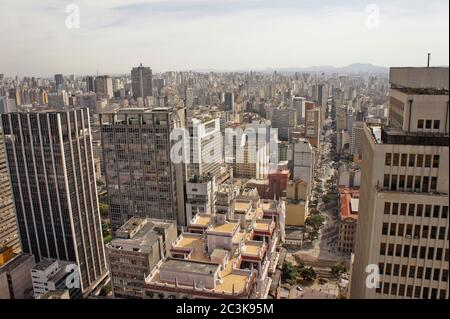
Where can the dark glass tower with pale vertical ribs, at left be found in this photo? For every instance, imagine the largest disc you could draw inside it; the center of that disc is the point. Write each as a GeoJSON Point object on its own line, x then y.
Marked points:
{"type": "Point", "coordinates": [53, 181]}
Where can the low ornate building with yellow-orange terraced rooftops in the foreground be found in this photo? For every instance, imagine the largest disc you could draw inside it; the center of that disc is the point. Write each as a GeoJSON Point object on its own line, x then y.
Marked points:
{"type": "Point", "coordinates": [232, 257]}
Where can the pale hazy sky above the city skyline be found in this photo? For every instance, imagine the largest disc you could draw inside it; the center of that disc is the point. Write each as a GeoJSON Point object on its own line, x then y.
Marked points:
{"type": "Point", "coordinates": [115, 35]}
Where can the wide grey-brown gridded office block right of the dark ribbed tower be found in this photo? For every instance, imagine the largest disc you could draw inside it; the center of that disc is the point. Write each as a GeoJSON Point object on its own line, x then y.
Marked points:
{"type": "Point", "coordinates": [142, 181]}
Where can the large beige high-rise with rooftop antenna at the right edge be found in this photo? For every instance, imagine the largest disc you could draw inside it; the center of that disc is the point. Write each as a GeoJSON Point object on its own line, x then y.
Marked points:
{"type": "Point", "coordinates": [403, 211]}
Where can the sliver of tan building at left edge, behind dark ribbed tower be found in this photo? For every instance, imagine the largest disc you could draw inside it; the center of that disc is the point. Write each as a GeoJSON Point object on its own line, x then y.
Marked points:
{"type": "Point", "coordinates": [8, 226]}
